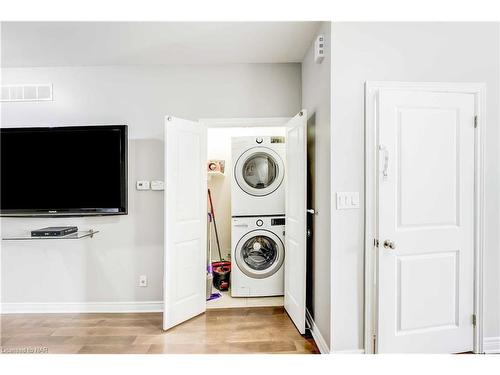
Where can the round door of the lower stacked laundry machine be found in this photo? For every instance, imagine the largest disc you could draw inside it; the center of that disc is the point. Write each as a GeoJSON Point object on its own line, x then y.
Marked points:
{"type": "Point", "coordinates": [259, 254]}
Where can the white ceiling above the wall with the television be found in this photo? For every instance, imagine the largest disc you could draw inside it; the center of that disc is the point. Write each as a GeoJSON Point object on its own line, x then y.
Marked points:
{"type": "Point", "coordinates": [145, 43]}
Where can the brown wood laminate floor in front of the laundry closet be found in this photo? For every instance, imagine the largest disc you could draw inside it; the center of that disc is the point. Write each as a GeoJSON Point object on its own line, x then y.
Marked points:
{"type": "Point", "coordinates": [223, 331]}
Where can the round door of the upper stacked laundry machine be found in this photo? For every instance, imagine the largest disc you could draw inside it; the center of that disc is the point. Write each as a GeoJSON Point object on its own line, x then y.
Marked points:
{"type": "Point", "coordinates": [259, 171]}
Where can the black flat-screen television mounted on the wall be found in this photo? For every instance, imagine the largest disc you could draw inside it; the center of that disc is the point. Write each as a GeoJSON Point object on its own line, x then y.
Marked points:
{"type": "Point", "coordinates": [63, 171]}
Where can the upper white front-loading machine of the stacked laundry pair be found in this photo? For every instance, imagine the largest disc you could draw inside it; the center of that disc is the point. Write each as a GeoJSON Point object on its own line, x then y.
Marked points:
{"type": "Point", "coordinates": [258, 183]}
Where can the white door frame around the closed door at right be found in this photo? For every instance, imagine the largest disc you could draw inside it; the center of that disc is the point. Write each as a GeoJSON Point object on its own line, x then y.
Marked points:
{"type": "Point", "coordinates": [372, 89]}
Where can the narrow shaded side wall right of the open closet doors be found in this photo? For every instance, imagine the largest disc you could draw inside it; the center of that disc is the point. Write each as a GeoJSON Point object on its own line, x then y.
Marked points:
{"type": "Point", "coordinates": [316, 99]}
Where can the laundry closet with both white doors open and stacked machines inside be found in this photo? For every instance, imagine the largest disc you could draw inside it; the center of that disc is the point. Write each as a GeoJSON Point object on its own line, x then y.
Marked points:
{"type": "Point", "coordinates": [252, 221]}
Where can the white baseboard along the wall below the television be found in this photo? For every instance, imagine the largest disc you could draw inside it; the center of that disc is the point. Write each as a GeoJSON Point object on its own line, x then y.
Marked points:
{"type": "Point", "coordinates": [81, 307]}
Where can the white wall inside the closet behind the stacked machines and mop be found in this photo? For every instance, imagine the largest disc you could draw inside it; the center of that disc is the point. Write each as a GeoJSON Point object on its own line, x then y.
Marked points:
{"type": "Point", "coordinates": [219, 148]}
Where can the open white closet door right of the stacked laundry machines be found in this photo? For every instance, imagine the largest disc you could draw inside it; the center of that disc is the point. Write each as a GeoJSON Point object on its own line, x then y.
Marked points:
{"type": "Point", "coordinates": [296, 221]}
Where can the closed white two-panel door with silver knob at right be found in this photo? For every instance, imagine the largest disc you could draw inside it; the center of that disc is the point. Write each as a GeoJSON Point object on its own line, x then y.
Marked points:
{"type": "Point", "coordinates": [426, 219]}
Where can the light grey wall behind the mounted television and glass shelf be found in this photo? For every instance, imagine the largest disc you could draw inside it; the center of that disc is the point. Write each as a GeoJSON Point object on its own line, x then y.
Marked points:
{"type": "Point", "coordinates": [106, 268]}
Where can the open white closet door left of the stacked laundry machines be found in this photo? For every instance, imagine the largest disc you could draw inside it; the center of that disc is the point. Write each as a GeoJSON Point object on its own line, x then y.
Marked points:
{"type": "Point", "coordinates": [185, 221]}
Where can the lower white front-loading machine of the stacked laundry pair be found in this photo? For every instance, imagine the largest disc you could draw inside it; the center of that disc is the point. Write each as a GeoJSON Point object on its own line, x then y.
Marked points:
{"type": "Point", "coordinates": [257, 256]}
